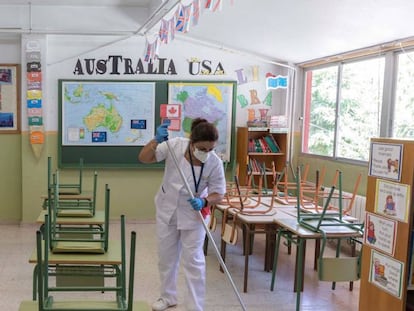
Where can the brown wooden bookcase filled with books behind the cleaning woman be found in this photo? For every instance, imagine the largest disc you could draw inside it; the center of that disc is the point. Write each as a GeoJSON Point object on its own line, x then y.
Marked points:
{"type": "Point", "coordinates": [251, 154]}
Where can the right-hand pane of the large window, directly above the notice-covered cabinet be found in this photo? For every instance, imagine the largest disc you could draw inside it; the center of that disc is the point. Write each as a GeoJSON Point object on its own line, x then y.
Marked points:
{"type": "Point", "coordinates": [359, 110]}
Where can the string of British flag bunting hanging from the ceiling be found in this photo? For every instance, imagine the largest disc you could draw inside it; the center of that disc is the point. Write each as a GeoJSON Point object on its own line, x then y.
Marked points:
{"type": "Point", "coordinates": [184, 17]}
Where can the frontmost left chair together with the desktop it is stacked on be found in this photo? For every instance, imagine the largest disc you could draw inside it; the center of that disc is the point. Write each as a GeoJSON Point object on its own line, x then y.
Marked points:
{"type": "Point", "coordinates": [54, 297]}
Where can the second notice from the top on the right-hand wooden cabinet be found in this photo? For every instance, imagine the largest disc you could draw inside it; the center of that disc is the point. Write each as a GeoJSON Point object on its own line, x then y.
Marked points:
{"type": "Point", "coordinates": [392, 199]}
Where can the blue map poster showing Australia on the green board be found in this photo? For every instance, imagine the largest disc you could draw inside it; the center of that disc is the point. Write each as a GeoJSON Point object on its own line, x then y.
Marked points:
{"type": "Point", "coordinates": [101, 113]}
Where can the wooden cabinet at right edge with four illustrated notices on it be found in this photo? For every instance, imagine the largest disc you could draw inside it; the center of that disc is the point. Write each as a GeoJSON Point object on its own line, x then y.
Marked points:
{"type": "Point", "coordinates": [385, 275]}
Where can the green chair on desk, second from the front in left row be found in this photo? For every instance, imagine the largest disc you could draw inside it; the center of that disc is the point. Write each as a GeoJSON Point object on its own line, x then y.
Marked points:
{"type": "Point", "coordinates": [77, 238]}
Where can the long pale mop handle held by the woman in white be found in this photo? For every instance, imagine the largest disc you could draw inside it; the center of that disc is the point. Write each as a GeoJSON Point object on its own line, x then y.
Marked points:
{"type": "Point", "coordinates": [210, 237]}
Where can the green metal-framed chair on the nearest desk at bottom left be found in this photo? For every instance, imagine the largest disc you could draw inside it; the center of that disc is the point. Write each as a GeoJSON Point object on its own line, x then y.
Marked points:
{"type": "Point", "coordinates": [120, 300]}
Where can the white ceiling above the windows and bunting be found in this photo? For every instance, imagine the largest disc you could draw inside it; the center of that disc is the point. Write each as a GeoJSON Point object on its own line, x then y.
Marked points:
{"type": "Point", "coordinates": [290, 30]}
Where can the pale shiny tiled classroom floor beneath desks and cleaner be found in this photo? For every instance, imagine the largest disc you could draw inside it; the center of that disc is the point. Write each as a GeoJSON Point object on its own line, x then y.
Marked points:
{"type": "Point", "coordinates": [17, 243]}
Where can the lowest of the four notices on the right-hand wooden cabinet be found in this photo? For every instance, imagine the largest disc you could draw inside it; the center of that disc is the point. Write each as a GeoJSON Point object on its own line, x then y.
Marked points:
{"type": "Point", "coordinates": [386, 273]}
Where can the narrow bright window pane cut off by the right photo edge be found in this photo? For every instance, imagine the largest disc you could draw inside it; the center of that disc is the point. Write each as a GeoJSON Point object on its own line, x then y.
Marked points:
{"type": "Point", "coordinates": [403, 125]}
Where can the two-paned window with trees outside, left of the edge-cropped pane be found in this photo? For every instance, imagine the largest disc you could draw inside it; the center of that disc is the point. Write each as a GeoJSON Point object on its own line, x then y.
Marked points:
{"type": "Point", "coordinates": [343, 108]}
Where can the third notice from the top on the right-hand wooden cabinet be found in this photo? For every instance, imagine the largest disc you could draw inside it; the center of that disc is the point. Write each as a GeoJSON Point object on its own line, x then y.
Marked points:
{"type": "Point", "coordinates": [380, 233]}
